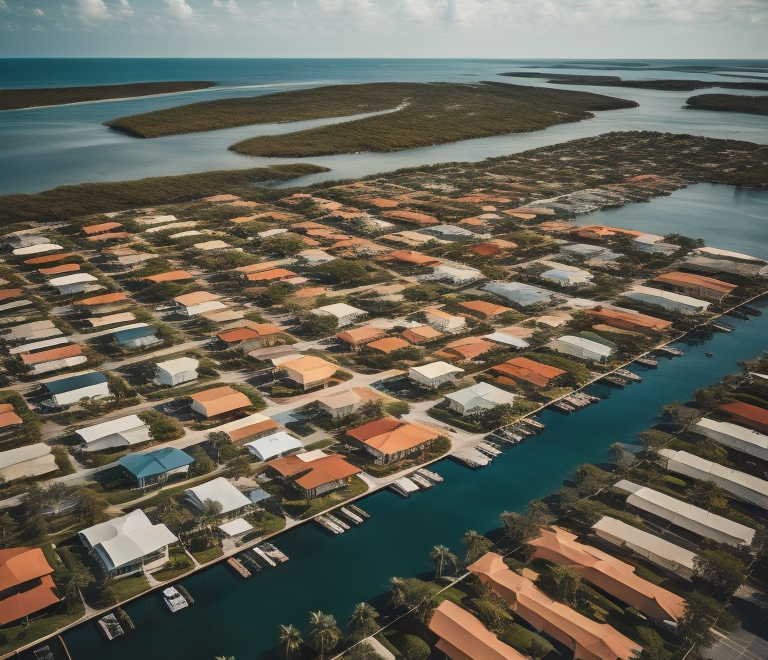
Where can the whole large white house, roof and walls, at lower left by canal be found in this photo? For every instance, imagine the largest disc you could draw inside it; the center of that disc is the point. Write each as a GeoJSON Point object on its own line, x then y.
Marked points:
{"type": "Point", "coordinates": [126, 545]}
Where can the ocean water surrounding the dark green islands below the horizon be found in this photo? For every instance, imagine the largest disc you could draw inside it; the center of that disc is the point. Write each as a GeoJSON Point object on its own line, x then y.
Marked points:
{"type": "Point", "coordinates": [43, 148]}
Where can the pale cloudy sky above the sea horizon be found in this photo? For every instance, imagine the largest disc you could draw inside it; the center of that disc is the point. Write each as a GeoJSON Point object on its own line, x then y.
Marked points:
{"type": "Point", "coordinates": [689, 29]}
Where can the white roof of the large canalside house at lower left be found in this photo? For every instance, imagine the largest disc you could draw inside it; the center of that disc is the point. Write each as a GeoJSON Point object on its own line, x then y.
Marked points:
{"type": "Point", "coordinates": [127, 539]}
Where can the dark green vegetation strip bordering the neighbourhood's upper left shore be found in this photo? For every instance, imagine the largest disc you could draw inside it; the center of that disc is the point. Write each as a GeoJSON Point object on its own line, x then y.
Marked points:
{"type": "Point", "coordinates": [67, 201]}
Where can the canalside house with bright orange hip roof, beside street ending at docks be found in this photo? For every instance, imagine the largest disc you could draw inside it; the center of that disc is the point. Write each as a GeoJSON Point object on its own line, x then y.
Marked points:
{"type": "Point", "coordinates": [391, 440]}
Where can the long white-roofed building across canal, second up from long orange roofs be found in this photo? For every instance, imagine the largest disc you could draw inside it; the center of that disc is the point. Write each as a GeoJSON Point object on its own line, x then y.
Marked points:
{"type": "Point", "coordinates": [696, 520]}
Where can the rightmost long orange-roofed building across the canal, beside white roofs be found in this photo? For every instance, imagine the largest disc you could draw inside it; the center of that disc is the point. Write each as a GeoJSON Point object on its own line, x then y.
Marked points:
{"type": "Point", "coordinates": [608, 574]}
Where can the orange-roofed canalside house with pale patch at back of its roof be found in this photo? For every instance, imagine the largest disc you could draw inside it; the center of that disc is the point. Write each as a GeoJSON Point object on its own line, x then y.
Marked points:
{"type": "Point", "coordinates": [314, 473]}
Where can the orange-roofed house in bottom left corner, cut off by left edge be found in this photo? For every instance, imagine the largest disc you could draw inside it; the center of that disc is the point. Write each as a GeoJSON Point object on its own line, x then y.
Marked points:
{"type": "Point", "coordinates": [26, 585]}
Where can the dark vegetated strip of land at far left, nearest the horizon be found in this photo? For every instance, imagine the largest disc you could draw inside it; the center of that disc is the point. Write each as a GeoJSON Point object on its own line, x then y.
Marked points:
{"type": "Point", "coordinates": [16, 99]}
